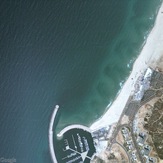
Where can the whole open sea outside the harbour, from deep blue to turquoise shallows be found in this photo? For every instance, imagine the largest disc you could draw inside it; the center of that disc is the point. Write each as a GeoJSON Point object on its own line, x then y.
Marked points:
{"type": "Point", "coordinates": [72, 53]}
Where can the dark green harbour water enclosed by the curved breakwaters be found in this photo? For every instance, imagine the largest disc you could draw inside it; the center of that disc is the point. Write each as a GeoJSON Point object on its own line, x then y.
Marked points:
{"type": "Point", "coordinates": [70, 139]}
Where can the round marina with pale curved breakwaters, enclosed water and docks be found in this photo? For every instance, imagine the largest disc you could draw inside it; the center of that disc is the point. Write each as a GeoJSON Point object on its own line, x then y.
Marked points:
{"type": "Point", "coordinates": [72, 144]}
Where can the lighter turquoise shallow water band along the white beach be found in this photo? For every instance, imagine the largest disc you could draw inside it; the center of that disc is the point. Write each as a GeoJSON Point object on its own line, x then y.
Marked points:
{"type": "Point", "coordinates": [120, 53]}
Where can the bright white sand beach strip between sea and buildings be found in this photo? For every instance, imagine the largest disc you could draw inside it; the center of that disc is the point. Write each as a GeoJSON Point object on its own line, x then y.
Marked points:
{"type": "Point", "coordinates": [151, 55]}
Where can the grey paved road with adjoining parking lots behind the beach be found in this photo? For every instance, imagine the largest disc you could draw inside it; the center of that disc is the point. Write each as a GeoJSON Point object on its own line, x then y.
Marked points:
{"type": "Point", "coordinates": [132, 108]}
